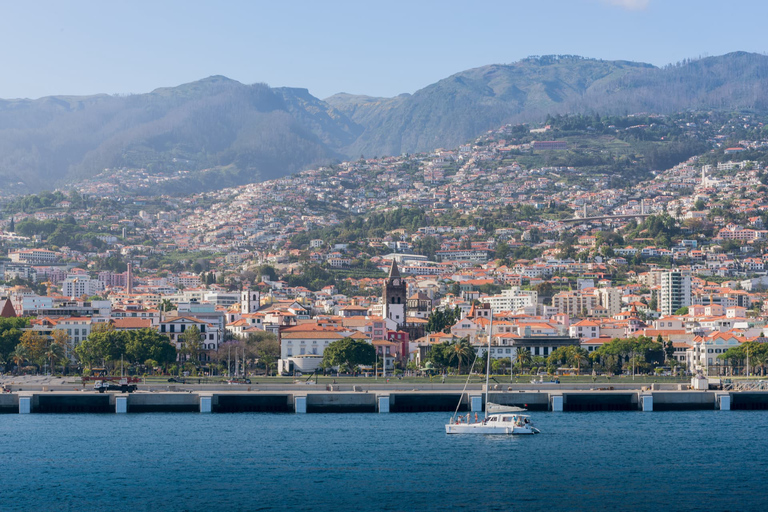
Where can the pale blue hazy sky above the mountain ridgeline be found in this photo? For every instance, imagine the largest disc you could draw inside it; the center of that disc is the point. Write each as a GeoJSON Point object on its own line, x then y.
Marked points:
{"type": "Point", "coordinates": [363, 47]}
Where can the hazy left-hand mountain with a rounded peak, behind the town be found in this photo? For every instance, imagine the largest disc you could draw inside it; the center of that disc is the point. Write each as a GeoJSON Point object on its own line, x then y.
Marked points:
{"type": "Point", "coordinates": [250, 132]}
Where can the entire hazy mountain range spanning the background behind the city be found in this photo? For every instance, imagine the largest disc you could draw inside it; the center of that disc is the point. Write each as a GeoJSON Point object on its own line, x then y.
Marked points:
{"type": "Point", "coordinates": [253, 132]}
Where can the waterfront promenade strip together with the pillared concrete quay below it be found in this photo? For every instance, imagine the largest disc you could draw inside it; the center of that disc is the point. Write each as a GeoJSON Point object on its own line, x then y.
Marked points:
{"type": "Point", "coordinates": [367, 395]}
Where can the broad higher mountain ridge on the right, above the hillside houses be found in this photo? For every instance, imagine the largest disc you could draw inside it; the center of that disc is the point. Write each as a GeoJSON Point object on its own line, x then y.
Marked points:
{"type": "Point", "coordinates": [462, 106]}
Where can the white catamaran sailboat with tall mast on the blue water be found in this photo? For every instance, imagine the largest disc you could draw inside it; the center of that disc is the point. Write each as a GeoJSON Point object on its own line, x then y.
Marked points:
{"type": "Point", "coordinates": [497, 419]}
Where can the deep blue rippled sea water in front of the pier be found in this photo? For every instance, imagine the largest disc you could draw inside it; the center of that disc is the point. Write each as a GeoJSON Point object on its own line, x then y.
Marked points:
{"type": "Point", "coordinates": [677, 461]}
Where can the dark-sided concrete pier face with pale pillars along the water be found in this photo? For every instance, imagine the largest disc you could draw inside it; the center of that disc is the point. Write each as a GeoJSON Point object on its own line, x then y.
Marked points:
{"type": "Point", "coordinates": [301, 400]}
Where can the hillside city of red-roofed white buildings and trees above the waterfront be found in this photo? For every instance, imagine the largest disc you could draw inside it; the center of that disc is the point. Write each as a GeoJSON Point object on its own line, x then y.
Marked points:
{"type": "Point", "coordinates": [419, 256]}
